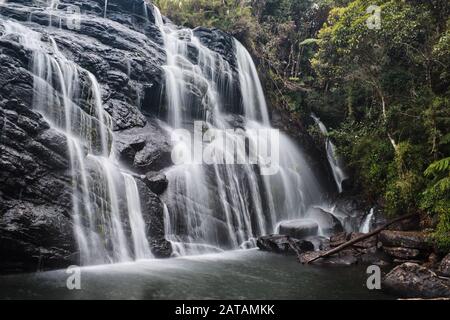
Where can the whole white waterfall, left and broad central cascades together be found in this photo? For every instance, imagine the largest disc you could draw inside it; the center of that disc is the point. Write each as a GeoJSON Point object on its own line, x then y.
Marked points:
{"type": "Point", "coordinates": [210, 206]}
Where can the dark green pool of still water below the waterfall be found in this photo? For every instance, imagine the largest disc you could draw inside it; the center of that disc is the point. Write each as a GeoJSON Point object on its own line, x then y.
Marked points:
{"type": "Point", "coordinates": [233, 275]}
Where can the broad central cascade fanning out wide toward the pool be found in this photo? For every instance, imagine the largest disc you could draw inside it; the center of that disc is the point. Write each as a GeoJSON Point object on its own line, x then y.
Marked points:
{"type": "Point", "coordinates": [217, 206]}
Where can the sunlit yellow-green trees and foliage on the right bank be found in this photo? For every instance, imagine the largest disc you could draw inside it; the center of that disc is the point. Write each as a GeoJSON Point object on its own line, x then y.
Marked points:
{"type": "Point", "coordinates": [385, 91]}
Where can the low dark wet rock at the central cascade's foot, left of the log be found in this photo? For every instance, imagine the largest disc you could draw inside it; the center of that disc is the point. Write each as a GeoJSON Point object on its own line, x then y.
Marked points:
{"type": "Point", "coordinates": [283, 244]}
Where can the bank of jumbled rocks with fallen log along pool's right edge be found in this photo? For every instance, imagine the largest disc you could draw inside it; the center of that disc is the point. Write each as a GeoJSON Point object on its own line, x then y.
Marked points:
{"type": "Point", "coordinates": [413, 268]}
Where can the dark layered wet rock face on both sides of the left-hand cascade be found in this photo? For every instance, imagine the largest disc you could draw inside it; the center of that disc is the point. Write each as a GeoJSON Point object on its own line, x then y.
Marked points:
{"type": "Point", "coordinates": [124, 53]}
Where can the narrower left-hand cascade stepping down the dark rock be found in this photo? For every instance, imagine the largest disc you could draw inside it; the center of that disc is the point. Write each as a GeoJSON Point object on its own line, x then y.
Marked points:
{"type": "Point", "coordinates": [69, 98]}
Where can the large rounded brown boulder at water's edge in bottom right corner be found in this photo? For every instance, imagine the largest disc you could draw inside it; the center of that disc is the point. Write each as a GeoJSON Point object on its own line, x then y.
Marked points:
{"type": "Point", "coordinates": [410, 280]}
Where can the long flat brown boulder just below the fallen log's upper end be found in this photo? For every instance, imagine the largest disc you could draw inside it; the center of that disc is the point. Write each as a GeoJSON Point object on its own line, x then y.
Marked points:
{"type": "Point", "coordinates": [406, 239]}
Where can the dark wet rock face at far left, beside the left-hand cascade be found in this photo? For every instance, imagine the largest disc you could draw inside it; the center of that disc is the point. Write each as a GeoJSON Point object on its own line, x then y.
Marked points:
{"type": "Point", "coordinates": [35, 191]}
